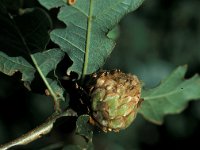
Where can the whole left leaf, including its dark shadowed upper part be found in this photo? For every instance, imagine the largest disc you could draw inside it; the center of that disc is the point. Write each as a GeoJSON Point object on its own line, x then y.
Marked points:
{"type": "Point", "coordinates": [22, 39]}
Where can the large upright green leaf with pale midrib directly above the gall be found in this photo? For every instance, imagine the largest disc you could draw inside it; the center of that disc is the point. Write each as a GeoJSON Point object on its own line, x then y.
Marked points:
{"type": "Point", "coordinates": [88, 22]}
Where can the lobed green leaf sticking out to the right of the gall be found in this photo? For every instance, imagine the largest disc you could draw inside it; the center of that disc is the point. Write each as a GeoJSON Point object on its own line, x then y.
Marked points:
{"type": "Point", "coordinates": [171, 96]}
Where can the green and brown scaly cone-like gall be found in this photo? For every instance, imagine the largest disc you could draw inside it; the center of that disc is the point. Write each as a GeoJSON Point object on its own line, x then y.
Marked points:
{"type": "Point", "coordinates": [115, 99]}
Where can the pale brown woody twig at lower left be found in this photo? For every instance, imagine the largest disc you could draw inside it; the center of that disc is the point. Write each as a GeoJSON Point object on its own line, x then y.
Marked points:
{"type": "Point", "coordinates": [38, 132]}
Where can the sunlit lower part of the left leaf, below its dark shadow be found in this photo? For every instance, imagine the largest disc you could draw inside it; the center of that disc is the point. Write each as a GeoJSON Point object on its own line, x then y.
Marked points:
{"type": "Point", "coordinates": [44, 63]}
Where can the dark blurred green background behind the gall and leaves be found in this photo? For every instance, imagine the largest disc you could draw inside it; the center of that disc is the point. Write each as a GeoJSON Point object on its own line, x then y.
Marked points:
{"type": "Point", "coordinates": [153, 41]}
